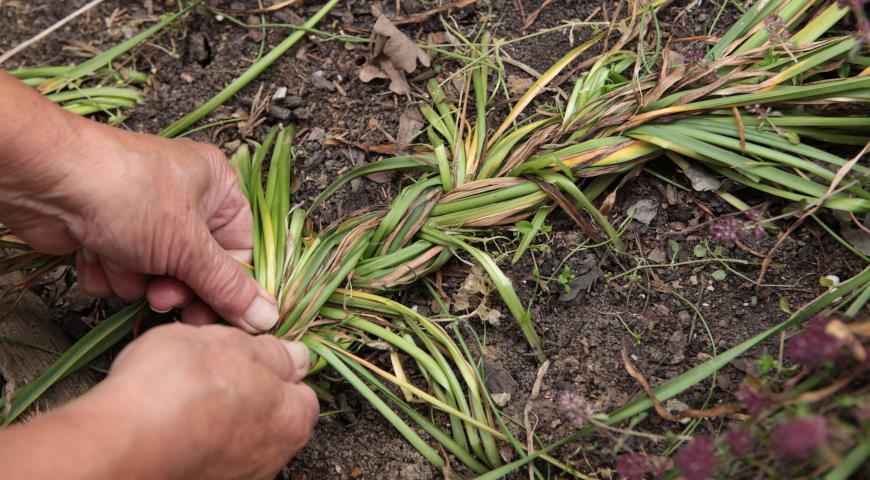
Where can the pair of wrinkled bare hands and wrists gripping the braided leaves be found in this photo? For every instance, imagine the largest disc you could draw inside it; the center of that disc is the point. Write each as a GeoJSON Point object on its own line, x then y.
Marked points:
{"type": "Point", "coordinates": [165, 220]}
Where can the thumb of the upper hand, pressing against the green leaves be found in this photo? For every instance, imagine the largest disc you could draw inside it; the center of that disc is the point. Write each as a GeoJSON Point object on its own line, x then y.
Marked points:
{"type": "Point", "coordinates": [221, 282]}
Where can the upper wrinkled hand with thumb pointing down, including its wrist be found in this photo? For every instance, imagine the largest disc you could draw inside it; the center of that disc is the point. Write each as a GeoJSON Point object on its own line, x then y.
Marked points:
{"type": "Point", "coordinates": [147, 216]}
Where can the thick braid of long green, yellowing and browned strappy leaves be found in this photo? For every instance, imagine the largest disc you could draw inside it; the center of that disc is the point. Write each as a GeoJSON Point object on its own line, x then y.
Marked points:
{"type": "Point", "coordinates": [742, 108]}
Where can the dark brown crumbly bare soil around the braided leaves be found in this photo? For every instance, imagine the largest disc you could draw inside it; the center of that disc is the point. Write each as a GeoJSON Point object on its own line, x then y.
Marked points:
{"type": "Point", "coordinates": [583, 336]}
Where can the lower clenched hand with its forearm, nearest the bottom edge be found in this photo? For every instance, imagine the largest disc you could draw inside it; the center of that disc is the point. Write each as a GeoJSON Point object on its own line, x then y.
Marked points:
{"type": "Point", "coordinates": [180, 402]}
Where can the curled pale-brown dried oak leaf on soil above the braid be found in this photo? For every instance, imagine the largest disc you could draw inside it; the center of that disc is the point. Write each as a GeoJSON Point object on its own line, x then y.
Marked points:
{"type": "Point", "coordinates": [393, 55]}
